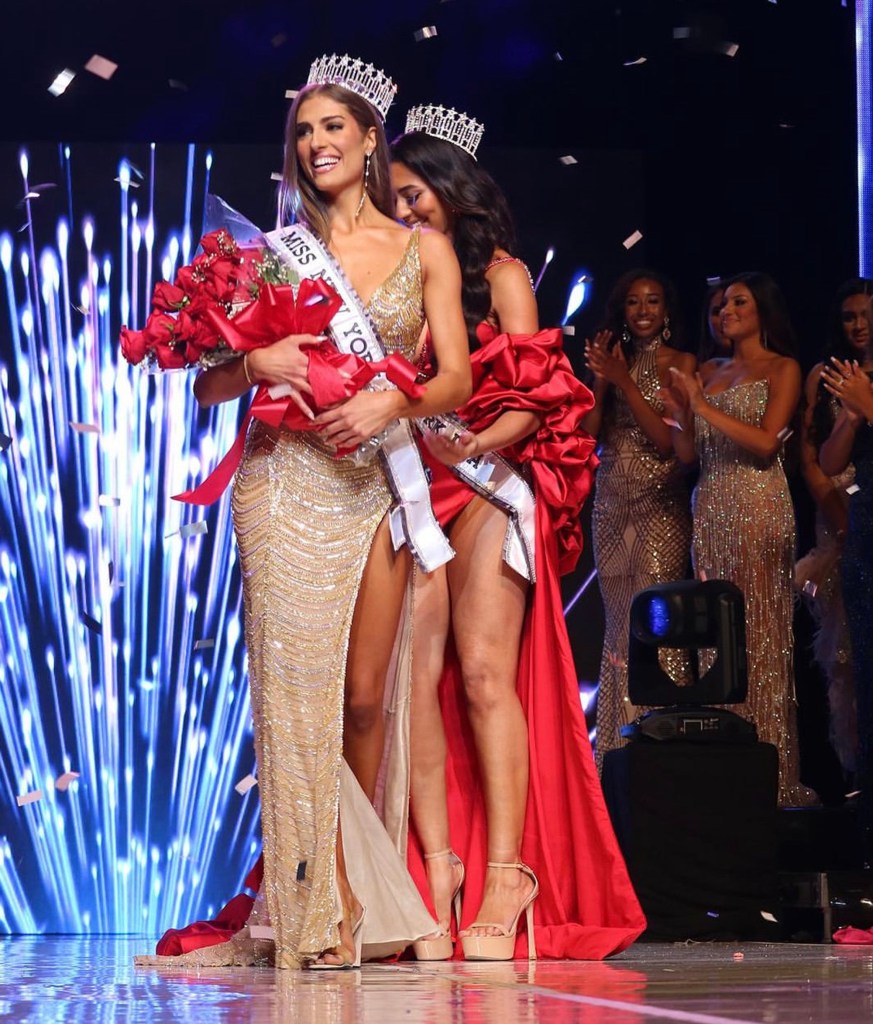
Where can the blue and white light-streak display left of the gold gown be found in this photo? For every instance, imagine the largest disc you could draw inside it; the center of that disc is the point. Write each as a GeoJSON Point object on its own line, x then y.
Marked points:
{"type": "Point", "coordinates": [102, 602]}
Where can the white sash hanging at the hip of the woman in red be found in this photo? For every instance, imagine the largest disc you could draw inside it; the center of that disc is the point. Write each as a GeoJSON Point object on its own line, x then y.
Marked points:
{"type": "Point", "coordinates": [500, 483]}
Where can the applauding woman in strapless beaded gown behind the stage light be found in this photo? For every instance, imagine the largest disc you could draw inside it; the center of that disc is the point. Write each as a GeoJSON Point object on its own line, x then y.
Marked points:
{"type": "Point", "coordinates": [734, 417]}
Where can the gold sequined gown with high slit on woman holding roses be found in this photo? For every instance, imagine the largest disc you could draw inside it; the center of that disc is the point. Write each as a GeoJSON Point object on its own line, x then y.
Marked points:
{"type": "Point", "coordinates": [305, 523]}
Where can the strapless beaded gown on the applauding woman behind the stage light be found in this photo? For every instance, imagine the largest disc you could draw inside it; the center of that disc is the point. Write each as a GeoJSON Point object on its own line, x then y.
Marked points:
{"type": "Point", "coordinates": [745, 532]}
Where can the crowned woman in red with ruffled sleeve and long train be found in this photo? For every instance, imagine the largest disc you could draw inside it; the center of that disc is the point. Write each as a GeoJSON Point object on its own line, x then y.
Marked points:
{"type": "Point", "coordinates": [506, 802]}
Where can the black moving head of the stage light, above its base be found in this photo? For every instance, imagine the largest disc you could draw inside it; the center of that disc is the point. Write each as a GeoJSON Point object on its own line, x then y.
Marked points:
{"type": "Point", "coordinates": [692, 616]}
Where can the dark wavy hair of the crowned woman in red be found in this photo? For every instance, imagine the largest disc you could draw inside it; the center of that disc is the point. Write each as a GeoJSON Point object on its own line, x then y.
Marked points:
{"type": "Point", "coordinates": [477, 209]}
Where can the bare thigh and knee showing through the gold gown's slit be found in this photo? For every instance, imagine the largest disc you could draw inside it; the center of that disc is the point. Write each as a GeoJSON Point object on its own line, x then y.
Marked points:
{"type": "Point", "coordinates": [377, 615]}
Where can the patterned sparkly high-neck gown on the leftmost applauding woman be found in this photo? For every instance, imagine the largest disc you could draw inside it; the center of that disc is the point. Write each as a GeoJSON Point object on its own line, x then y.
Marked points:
{"type": "Point", "coordinates": [642, 535]}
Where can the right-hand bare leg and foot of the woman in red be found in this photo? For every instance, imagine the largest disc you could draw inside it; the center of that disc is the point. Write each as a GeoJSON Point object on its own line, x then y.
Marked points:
{"type": "Point", "coordinates": [488, 612]}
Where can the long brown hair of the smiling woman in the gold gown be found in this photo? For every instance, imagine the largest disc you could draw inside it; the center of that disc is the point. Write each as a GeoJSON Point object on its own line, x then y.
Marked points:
{"type": "Point", "coordinates": [299, 199]}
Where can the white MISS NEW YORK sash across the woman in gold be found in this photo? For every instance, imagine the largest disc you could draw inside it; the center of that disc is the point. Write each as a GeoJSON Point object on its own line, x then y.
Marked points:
{"type": "Point", "coordinates": [412, 520]}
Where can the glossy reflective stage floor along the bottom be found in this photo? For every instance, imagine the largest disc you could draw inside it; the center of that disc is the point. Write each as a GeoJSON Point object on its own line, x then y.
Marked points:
{"type": "Point", "coordinates": [94, 980]}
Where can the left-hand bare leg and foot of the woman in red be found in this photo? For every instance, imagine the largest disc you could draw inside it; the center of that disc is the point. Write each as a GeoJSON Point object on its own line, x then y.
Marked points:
{"type": "Point", "coordinates": [427, 735]}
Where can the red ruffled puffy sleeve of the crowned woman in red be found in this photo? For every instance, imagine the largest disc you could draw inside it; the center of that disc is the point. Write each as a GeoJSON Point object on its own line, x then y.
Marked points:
{"type": "Point", "coordinates": [532, 373]}
